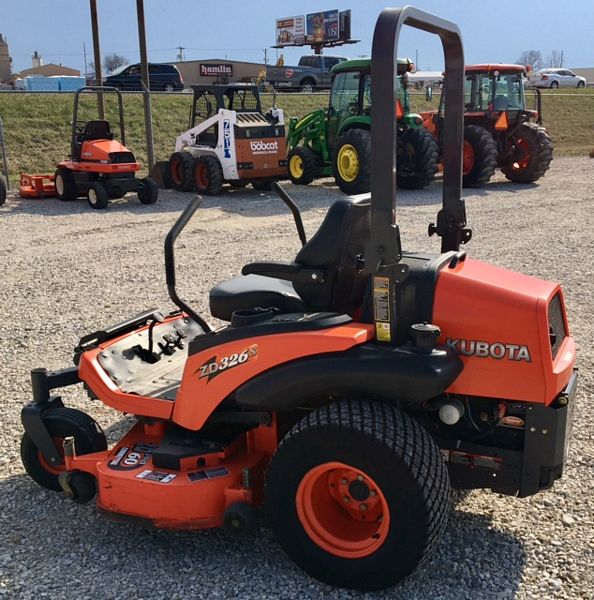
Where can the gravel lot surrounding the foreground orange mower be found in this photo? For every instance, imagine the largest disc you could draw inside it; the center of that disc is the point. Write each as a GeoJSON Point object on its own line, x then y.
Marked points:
{"type": "Point", "coordinates": [67, 270]}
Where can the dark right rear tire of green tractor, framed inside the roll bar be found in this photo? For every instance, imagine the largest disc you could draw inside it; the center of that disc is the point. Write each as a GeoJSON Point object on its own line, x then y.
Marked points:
{"type": "Point", "coordinates": [418, 155]}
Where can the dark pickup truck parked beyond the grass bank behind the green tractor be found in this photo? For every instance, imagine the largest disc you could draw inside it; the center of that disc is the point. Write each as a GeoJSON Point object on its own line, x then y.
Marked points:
{"type": "Point", "coordinates": [312, 73]}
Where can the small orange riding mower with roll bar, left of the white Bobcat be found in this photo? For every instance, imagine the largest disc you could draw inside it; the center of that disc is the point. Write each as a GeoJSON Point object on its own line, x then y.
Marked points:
{"type": "Point", "coordinates": [99, 166]}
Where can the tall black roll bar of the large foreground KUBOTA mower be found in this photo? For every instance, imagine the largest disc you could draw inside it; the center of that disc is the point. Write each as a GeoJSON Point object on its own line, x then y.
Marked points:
{"type": "Point", "coordinates": [384, 245]}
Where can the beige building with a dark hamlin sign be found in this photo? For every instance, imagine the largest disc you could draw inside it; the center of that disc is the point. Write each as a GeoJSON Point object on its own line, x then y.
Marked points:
{"type": "Point", "coordinates": [218, 70]}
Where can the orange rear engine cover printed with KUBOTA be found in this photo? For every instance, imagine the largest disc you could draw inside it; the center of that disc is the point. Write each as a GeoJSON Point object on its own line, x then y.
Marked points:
{"type": "Point", "coordinates": [498, 322]}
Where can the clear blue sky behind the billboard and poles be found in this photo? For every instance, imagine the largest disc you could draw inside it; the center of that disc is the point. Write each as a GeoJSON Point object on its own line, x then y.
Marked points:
{"type": "Point", "coordinates": [491, 31]}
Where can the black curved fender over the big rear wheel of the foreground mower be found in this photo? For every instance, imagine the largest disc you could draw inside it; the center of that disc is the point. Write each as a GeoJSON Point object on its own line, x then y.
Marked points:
{"type": "Point", "coordinates": [402, 374]}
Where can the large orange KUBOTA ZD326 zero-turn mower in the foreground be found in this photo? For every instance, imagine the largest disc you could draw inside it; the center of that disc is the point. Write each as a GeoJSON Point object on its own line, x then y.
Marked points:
{"type": "Point", "coordinates": [349, 391]}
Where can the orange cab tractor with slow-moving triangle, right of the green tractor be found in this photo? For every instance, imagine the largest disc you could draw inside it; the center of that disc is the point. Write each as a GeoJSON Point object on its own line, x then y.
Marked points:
{"type": "Point", "coordinates": [499, 129]}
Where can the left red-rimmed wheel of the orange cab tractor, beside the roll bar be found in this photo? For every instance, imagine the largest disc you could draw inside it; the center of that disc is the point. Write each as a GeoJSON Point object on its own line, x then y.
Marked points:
{"type": "Point", "coordinates": [480, 156]}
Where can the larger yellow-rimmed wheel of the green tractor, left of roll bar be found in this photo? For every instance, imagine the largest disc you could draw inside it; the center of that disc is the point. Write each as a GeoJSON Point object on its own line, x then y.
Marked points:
{"type": "Point", "coordinates": [351, 161]}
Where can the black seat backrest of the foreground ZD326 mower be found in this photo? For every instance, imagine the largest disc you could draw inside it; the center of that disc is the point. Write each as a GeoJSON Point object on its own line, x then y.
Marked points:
{"type": "Point", "coordinates": [335, 249]}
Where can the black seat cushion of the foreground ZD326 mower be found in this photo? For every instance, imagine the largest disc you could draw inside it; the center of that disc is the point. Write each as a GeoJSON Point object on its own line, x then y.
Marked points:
{"type": "Point", "coordinates": [251, 291]}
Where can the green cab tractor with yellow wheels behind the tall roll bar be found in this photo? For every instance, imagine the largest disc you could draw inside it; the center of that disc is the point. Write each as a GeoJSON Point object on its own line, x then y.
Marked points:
{"type": "Point", "coordinates": [337, 140]}
